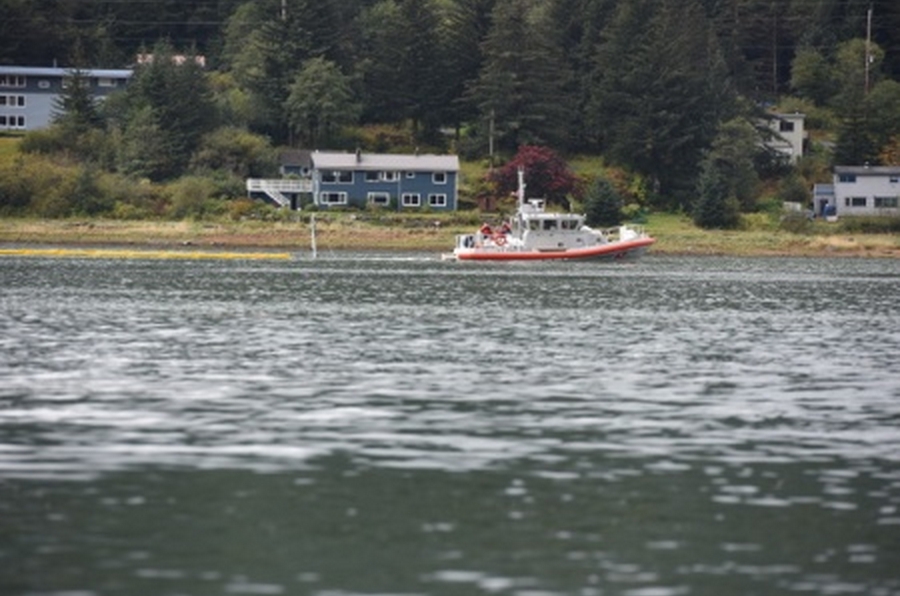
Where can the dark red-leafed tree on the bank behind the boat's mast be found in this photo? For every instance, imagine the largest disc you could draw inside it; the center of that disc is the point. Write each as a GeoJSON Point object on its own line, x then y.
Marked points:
{"type": "Point", "coordinates": [547, 175]}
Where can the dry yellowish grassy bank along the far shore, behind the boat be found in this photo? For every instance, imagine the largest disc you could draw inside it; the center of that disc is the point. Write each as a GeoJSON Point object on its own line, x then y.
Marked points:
{"type": "Point", "coordinates": [675, 235]}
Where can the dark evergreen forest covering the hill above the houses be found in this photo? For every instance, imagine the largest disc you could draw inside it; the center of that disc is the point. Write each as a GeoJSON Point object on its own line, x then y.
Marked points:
{"type": "Point", "coordinates": [649, 84]}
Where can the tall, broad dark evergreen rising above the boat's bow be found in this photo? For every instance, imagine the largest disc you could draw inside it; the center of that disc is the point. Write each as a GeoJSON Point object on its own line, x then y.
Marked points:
{"type": "Point", "coordinates": [661, 90]}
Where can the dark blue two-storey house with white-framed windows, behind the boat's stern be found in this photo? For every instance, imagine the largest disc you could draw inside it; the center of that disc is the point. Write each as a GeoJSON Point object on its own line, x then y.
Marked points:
{"type": "Point", "coordinates": [407, 182]}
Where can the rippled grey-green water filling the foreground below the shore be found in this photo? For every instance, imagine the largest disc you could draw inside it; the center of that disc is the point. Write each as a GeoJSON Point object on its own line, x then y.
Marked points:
{"type": "Point", "coordinates": [366, 425]}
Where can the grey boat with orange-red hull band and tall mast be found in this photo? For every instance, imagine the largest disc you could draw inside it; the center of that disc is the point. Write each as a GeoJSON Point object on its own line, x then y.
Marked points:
{"type": "Point", "coordinates": [534, 234]}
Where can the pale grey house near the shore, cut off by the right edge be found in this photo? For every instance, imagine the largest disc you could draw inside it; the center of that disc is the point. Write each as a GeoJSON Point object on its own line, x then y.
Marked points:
{"type": "Point", "coordinates": [859, 190]}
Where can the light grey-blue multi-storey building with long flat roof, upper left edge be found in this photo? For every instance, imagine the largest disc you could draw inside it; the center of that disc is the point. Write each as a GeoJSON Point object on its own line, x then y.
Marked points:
{"type": "Point", "coordinates": [29, 95]}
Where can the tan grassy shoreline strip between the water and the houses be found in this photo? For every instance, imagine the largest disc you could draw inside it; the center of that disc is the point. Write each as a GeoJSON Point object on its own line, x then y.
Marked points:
{"type": "Point", "coordinates": [352, 234]}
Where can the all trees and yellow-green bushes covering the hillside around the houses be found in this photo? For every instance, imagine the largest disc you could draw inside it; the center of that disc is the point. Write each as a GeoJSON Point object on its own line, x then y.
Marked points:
{"type": "Point", "coordinates": [657, 106]}
